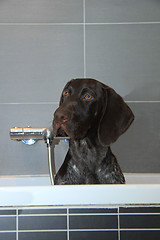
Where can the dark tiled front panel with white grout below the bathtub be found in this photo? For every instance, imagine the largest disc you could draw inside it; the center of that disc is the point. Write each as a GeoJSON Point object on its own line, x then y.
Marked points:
{"type": "Point", "coordinates": [68, 223]}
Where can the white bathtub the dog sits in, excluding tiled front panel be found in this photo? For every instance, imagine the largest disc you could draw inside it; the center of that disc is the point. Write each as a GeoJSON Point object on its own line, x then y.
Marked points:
{"type": "Point", "coordinates": [37, 191]}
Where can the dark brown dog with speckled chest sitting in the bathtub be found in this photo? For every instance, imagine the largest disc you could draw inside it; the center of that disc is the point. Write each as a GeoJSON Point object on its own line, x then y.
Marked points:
{"type": "Point", "coordinates": [93, 115]}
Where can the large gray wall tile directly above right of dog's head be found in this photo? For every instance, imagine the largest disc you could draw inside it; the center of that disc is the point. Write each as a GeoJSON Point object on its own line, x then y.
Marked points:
{"type": "Point", "coordinates": [125, 57]}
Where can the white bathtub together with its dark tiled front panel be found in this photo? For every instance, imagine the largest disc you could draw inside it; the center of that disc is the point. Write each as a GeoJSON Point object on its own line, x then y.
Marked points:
{"type": "Point", "coordinates": [30, 208]}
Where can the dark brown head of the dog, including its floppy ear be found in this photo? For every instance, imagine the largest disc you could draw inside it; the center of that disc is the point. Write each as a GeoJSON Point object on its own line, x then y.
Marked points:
{"type": "Point", "coordinates": [87, 105]}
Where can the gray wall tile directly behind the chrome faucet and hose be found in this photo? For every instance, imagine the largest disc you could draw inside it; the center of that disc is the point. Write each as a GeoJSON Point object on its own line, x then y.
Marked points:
{"type": "Point", "coordinates": [16, 157]}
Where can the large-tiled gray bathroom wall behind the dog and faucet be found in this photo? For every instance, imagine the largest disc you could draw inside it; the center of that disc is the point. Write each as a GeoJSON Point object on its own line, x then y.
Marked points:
{"type": "Point", "coordinates": [44, 43]}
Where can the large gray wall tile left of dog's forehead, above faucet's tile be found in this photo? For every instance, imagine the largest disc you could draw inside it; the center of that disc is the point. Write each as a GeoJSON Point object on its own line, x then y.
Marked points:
{"type": "Point", "coordinates": [37, 61]}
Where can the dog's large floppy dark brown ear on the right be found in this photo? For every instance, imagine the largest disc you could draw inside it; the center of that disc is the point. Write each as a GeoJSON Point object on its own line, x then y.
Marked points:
{"type": "Point", "coordinates": [116, 117]}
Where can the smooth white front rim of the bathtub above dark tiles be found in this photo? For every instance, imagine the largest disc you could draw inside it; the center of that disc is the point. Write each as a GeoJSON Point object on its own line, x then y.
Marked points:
{"type": "Point", "coordinates": [80, 195]}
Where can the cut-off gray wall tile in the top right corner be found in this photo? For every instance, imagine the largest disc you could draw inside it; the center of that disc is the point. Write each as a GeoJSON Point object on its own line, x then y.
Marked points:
{"type": "Point", "coordinates": [122, 11]}
